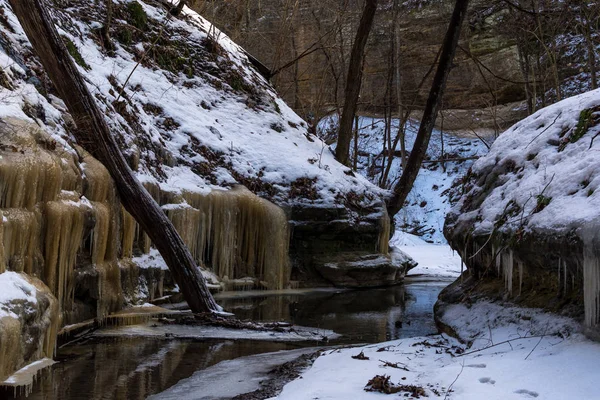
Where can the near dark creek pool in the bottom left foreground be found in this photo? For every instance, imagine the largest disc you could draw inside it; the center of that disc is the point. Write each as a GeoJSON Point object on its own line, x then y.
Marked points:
{"type": "Point", "coordinates": [133, 369]}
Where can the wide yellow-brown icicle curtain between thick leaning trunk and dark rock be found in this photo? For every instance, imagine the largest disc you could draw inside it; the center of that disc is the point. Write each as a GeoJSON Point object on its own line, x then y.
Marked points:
{"type": "Point", "coordinates": [237, 234]}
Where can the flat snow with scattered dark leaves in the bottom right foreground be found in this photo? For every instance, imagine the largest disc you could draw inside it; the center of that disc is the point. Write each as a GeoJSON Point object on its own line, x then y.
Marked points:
{"type": "Point", "coordinates": [547, 358]}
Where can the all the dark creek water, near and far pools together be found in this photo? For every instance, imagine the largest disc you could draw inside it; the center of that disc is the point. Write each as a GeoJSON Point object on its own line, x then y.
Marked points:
{"type": "Point", "coordinates": [134, 368]}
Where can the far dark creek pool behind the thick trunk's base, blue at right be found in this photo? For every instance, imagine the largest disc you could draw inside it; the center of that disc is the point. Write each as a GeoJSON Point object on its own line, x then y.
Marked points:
{"type": "Point", "coordinates": [362, 316]}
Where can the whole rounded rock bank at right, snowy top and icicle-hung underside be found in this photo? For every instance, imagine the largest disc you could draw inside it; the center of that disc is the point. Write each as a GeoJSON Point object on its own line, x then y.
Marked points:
{"type": "Point", "coordinates": [529, 211]}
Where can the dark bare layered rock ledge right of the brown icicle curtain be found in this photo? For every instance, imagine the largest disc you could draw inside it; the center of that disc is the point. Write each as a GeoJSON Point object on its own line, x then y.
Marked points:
{"type": "Point", "coordinates": [344, 247]}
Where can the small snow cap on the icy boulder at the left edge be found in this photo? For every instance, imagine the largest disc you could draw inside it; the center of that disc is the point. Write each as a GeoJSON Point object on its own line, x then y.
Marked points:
{"type": "Point", "coordinates": [15, 289]}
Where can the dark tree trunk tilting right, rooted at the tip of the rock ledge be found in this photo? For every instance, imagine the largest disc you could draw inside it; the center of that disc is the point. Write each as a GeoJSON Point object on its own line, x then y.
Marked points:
{"type": "Point", "coordinates": [417, 155]}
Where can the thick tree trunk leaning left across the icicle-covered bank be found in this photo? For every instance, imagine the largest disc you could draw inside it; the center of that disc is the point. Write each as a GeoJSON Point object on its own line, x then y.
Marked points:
{"type": "Point", "coordinates": [92, 132]}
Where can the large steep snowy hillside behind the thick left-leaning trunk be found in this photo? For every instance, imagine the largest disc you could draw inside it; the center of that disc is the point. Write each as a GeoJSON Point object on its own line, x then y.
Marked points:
{"type": "Point", "coordinates": [193, 115]}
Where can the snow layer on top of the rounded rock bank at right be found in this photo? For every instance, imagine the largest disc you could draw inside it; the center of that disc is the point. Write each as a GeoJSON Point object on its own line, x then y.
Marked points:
{"type": "Point", "coordinates": [543, 173]}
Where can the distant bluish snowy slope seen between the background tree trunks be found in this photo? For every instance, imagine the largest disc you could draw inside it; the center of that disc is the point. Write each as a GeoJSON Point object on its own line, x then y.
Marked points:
{"type": "Point", "coordinates": [429, 201]}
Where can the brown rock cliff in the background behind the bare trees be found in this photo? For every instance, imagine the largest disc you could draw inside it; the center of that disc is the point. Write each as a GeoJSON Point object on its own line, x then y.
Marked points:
{"type": "Point", "coordinates": [310, 85]}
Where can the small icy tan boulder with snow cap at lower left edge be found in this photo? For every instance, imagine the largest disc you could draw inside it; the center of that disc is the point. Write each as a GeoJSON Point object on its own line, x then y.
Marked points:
{"type": "Point", "coordinates": [29, 318]}
